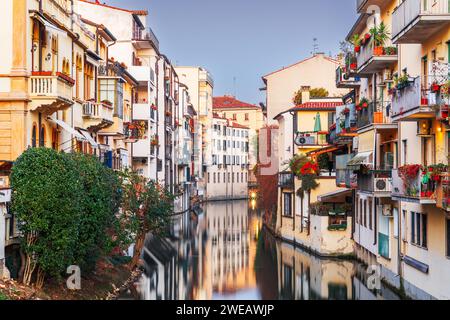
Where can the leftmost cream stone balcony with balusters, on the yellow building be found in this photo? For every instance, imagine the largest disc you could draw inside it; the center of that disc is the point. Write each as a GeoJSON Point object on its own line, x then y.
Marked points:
{"type": "Point", "coordinates": [50, 93]}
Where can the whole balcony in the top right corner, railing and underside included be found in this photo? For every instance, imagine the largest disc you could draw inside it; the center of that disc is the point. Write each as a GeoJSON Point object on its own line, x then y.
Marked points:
{"type": "Point", "coordinates": [416, 21]}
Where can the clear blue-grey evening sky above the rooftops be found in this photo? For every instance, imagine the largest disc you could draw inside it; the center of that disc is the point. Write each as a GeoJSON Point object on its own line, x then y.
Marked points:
{"type": "Point", "coordinates": [239, 41]}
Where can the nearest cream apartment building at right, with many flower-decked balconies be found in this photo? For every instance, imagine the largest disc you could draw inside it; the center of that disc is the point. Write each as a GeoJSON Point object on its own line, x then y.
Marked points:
{"type": "Point", "coordinates": [401, 157]}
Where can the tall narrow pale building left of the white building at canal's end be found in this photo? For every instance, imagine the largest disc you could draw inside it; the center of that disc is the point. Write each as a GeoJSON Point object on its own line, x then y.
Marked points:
{"type": "Point", "coordinates": [200, 86]}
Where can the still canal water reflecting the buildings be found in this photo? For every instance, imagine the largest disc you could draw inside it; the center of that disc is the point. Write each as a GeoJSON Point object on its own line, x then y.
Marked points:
{"type": "Point", "coordinates": [224, 252]}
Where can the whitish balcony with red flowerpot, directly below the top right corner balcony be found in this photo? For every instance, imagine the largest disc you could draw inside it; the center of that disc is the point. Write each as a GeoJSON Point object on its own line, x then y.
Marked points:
{"type": "Point", "coordinates": [412, 101]}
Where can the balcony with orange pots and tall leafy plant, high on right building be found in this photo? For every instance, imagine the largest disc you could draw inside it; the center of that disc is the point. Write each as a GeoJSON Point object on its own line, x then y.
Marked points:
{"type": "Point", "coordinates": [369, 61]}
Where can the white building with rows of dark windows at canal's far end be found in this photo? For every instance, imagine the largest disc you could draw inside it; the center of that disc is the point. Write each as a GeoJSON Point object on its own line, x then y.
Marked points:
{"type": "Point", "coordinates": [227, 177]}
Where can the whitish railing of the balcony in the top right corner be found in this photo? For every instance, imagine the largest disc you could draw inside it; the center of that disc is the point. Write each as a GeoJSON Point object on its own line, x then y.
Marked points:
{"type": "Point", "coordinates": [408, 11]}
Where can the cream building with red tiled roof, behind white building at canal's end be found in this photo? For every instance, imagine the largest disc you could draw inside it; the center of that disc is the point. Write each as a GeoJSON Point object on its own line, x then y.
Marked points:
{"type": "Point", "coordinates": [245, 114]}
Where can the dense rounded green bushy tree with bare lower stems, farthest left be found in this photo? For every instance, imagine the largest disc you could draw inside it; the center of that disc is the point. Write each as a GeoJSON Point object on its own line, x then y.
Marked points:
{"type": "Point", "coordinates": [46, 199]}
